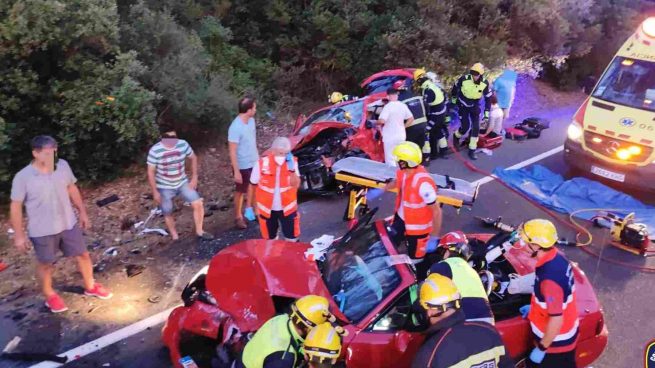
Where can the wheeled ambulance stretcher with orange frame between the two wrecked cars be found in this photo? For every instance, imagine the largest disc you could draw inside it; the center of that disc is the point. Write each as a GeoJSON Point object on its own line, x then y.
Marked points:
{"type": "Point", "coordinates": [360, 174]}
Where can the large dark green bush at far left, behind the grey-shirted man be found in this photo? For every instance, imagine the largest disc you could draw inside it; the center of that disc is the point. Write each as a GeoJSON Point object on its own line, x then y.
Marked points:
{"type": "Point", "coordinates": [62, 73]}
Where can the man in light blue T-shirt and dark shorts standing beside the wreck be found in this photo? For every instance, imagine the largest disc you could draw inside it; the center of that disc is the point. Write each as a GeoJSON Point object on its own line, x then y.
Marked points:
{"type": "Point", "coordinates": [242, 141]}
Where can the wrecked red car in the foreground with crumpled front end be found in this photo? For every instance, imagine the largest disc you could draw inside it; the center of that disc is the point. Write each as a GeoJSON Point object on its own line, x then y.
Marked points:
{"type": "Point", "coordinates": [250, 282]}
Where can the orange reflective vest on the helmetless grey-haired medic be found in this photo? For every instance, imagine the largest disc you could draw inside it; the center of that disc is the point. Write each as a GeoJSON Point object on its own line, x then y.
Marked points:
{"type": "Point", "coordinates": [264, 194]}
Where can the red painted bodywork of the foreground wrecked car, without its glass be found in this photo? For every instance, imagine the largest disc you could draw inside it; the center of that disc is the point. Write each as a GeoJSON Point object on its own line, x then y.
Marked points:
{"type": "Point", "coordinates": [244, 276]}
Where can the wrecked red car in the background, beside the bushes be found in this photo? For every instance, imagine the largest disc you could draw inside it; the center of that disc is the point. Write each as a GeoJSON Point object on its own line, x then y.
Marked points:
{"type": "Point", "coordinates": [342, 130]}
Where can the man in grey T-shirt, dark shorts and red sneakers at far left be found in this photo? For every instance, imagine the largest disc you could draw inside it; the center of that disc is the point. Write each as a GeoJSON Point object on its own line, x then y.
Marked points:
{"type": "Point", "coordinates": [46, 188]}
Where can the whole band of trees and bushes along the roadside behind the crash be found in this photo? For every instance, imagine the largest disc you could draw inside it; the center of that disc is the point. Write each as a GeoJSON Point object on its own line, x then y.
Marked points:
{"type": "Point", "coordinates": [95, 73]}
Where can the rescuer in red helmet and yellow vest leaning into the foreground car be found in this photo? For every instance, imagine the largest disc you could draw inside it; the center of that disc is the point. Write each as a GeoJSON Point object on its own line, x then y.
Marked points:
{"type": "Point", "coordinates": [456, 252]}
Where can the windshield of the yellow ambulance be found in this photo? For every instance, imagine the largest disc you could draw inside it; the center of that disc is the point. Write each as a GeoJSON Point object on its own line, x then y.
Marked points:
{"type": "Point", "coordinates": [628, 82]}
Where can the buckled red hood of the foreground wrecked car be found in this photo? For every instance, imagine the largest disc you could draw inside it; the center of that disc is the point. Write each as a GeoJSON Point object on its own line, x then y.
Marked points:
{"type": "Point", "coordinates": [245, 276]}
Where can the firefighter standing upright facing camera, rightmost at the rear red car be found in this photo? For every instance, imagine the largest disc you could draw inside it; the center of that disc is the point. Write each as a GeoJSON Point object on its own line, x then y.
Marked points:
{"type": "Point", "coordinates": [467, 93]}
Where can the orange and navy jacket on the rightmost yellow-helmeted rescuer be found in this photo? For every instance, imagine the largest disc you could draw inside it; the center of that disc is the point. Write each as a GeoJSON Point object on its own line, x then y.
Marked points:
{"type": "Point", "coordinates": [555, 267]}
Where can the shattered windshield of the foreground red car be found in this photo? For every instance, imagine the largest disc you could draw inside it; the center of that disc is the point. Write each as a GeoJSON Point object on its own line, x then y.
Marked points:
{"type": "Point", "coordinates": [359, 273]}
